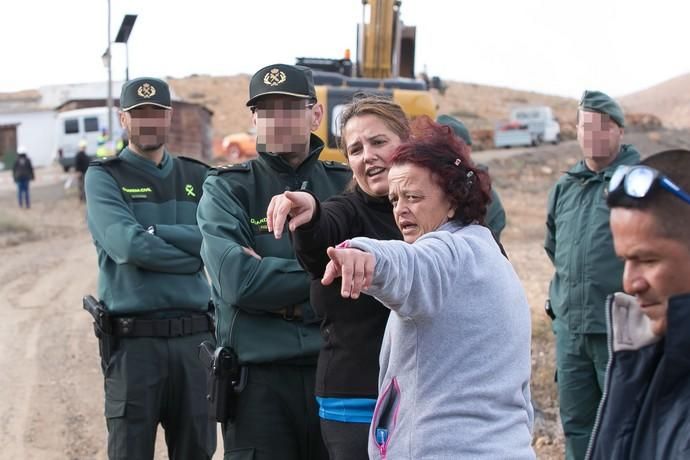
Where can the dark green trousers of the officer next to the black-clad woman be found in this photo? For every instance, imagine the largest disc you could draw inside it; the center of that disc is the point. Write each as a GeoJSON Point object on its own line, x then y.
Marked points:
{"type": "Point", "coordinates": [277, 416]}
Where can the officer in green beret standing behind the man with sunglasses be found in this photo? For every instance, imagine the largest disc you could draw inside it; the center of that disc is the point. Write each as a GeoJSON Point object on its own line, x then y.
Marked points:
{"type": "Point", "coordinates": [580, 245]}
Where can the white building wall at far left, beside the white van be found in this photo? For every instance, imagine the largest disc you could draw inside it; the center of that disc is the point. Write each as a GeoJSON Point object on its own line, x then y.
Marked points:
{"type": "Point", "coordinates": [36, 132]}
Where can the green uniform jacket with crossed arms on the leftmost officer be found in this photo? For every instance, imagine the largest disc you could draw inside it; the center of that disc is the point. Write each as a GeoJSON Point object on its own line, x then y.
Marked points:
{"type": "Point", "coordinates": [142, 272]}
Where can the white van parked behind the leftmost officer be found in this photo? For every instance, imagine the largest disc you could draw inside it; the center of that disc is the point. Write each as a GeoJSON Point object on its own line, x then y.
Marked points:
{"type": "Point", "coordinates": [74, 126]}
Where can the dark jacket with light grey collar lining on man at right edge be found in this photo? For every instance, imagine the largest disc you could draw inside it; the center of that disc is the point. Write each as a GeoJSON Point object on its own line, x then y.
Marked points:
{"type": "Point", "coordinates": [645, 410]}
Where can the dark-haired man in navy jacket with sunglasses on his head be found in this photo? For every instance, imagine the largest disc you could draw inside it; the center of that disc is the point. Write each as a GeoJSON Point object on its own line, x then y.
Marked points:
{"type": "Point", "coordinates": [644, 412]}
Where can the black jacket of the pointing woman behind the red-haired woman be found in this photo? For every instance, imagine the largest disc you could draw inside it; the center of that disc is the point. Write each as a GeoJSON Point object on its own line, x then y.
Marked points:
{"type": "Point", "coordinates": [352, 330]}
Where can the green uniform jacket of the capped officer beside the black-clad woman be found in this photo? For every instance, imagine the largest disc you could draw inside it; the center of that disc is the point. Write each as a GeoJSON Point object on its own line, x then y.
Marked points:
{"type": "Point", "coordinates": [232, 215]}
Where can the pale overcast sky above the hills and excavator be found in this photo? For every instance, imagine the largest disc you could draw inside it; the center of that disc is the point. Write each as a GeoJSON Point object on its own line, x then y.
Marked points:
{"type": "Point", "coordinates": [551, 46]}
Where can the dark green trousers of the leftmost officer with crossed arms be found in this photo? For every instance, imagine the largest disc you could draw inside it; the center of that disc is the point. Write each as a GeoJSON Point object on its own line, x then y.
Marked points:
{"type": "Point", "coordinates": [152, 380]}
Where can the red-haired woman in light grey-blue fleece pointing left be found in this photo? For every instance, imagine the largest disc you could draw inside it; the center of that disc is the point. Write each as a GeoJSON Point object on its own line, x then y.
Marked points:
{"type": "Point", "coordinates": [455, 358]}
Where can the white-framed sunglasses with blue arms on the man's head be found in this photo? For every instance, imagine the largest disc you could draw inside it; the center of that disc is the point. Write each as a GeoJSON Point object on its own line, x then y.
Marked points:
{"type": "Point", "coordinates": [637, 181]}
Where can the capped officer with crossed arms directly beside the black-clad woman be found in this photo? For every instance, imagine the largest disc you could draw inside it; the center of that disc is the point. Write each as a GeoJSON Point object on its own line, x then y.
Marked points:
{"type": "Point", "coordinates": [260, 290]}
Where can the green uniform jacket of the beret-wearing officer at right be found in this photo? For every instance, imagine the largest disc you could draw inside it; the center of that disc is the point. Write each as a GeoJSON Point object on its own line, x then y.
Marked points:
{"type": "Point", "coordinates": [580, 245]}
